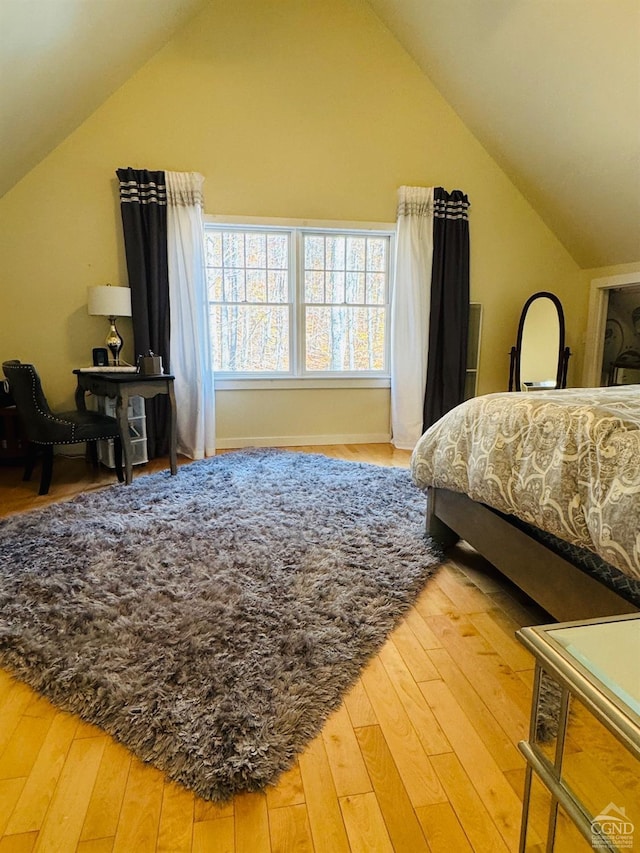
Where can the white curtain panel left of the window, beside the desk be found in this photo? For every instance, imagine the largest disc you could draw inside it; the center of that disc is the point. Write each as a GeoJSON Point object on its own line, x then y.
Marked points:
{"type": "Point", "coordinates": [190, 349]}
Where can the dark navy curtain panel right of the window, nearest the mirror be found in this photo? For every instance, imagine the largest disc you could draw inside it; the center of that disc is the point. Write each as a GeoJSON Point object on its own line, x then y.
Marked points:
{"type": "Point", "coordinates": [449, 315]}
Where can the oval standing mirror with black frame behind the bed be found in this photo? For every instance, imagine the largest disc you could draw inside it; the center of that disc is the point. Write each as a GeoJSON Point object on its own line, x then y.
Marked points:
{"type": "Point", "coordinates": [539, 358]}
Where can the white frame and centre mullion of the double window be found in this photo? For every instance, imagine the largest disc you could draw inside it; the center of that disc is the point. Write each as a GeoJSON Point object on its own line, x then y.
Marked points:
{"type": "Point", "coordinates": [298, 376]}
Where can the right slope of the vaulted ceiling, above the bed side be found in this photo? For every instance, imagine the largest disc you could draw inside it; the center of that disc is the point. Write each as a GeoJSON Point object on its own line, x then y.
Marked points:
{"type": "Point", "coordinates": [551, 88]}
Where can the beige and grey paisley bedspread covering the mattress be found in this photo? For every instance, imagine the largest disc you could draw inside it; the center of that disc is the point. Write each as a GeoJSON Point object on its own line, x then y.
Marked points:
{"type": "Point", "coordinates": [566, 462]}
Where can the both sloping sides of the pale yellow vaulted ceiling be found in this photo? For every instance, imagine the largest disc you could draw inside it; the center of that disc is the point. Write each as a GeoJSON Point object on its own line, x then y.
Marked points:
{"type": "Point", "coordinates": [550, 88]}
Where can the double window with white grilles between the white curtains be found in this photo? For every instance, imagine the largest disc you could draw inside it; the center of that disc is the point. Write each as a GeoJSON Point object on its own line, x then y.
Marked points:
{"type": "Point", "coordinates": [298, 302]}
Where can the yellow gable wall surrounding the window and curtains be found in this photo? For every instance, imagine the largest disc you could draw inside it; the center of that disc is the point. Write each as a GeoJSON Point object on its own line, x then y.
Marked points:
{"type": "Point", "coordinates": [291, 109]}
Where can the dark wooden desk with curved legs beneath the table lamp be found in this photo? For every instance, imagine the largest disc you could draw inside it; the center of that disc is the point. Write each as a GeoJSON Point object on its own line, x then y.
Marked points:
{"type": "Point", "coordinates": [122, 386]}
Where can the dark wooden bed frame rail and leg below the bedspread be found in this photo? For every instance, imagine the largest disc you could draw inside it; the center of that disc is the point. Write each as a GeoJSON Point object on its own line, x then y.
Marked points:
{"type": "Point", "coordinates": [554, 583]}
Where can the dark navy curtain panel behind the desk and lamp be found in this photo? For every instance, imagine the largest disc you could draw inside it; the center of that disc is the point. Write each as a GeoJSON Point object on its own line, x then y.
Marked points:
{"type": "Point", "coordinates": [143, 205]}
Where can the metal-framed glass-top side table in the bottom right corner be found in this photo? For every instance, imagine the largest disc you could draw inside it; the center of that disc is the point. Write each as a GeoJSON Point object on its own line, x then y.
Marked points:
{"type": "Point", "coordinates": [597, 661]}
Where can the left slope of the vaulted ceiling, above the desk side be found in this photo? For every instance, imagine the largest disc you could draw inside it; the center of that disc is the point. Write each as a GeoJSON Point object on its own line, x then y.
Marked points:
{"type": "Point", "coordinates": [60, 59]}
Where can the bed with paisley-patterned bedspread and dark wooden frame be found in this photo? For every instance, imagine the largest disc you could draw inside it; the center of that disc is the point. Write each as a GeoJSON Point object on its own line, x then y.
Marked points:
{"type": "Point", "coordinates": [546, 486]}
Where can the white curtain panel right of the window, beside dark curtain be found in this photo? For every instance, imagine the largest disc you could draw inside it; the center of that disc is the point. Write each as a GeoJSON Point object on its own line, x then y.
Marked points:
{"type": "Point", "coordinates": [410, 306]}
